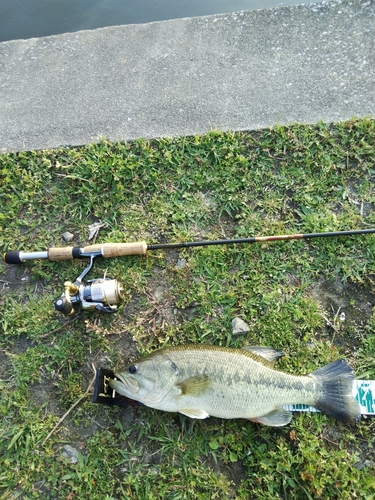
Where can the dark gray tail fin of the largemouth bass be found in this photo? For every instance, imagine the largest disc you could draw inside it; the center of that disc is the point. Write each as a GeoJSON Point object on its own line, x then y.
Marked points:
{"type": "Point", "coordinates": [336, 398]}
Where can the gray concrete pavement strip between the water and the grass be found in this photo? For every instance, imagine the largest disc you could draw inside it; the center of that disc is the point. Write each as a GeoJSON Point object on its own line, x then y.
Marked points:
{"type": "Point", "coordinates": [237, 71]}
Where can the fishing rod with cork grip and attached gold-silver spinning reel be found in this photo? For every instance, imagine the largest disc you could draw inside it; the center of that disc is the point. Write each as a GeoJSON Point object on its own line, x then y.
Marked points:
{"type": "Point", "coordinates": [104, 294]}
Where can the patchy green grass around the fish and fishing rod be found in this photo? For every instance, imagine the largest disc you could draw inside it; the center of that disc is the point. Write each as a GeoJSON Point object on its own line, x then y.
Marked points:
{"type": "Point", "coordinates": [220, 185]}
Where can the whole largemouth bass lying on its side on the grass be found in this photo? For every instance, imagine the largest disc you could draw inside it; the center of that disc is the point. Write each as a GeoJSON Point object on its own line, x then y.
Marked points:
{"type": "Point", "coordinates": [203, 380]}
